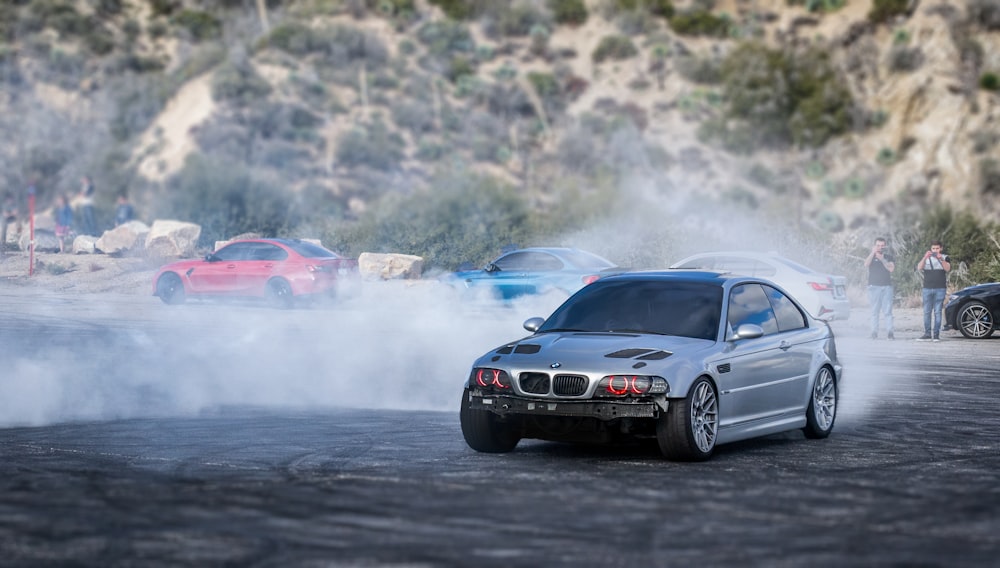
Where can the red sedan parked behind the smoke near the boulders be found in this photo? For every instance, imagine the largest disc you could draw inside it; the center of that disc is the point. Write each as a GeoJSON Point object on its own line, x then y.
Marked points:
{"type": "Point", "coordinates": [278, 270]}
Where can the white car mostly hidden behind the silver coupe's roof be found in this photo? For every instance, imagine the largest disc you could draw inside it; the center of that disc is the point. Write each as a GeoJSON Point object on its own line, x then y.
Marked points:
{"type": "Point", "coordinates": [823, 295]}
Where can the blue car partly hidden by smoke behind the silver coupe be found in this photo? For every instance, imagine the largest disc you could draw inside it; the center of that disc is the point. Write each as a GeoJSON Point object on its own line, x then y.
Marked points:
{"type": "Point", "coordinates": [536, 270]}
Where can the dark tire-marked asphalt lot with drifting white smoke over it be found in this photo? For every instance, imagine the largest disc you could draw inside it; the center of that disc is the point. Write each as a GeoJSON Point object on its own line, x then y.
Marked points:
{"type": "Point", "coordinates": [138, 434]}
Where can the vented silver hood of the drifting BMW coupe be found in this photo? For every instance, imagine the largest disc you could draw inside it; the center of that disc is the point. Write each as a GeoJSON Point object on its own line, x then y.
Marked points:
{"type": "Point", "coordinates": [596, 352]}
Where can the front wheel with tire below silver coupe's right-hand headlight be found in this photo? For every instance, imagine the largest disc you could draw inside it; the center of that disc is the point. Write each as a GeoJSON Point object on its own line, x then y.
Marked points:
{"type": "Point", "coordinates": [689, 429]}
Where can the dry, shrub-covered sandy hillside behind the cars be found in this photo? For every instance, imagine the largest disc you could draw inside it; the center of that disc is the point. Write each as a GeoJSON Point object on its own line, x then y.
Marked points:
{"type": "Point", "coordinates": [310, 115]}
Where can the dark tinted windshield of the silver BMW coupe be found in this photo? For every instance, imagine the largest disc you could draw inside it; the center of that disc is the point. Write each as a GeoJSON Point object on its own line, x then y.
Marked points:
{"type": "Point", "coordinates": [686, 309]}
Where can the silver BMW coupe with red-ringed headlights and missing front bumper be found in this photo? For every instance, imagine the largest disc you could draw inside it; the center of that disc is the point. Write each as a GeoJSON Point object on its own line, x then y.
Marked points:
{"type": "Point", "coordinates": [691, 359]}
